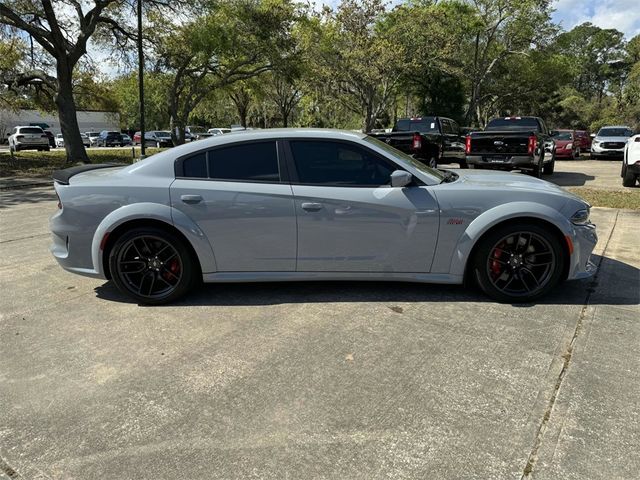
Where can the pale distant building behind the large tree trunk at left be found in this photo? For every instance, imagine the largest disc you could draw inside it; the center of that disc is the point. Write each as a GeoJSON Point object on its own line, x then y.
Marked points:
{"type": "Point", "coordinates": [89, 121]}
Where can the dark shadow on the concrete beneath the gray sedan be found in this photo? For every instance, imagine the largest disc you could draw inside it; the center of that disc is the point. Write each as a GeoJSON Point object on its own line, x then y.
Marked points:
{"type": "Point", "coordinates": [622, 289]}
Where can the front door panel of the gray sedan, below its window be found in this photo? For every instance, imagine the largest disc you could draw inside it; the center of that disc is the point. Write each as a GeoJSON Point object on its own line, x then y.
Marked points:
{"type": "Point", "coordinates": [362, 229]}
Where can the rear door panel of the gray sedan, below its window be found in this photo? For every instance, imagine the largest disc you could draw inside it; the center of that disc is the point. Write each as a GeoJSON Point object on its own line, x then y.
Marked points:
{"type": "Point", "coordinates": [251, 226]}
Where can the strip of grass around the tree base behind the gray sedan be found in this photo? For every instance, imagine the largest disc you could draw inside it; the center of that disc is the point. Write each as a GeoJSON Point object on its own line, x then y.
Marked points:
{"type": "Point", "coordinates": [42, 164]}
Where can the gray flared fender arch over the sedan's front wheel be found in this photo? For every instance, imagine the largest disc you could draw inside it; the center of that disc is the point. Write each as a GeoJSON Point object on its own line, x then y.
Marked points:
{"type": "Point", "coordinates": [492, 217]}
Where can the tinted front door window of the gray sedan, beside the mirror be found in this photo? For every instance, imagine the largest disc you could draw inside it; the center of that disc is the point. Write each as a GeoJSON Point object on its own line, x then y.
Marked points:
{"type": "Point", "coordinates": [333, 163]}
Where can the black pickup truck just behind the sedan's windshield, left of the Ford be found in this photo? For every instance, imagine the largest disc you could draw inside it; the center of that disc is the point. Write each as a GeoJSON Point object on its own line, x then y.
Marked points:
{"type": "Point", "coordinates": [431, 140]}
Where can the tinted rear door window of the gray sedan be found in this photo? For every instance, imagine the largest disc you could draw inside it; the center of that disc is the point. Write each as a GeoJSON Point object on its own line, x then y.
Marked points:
{"type": "Point", "coordinates": [249, 162]}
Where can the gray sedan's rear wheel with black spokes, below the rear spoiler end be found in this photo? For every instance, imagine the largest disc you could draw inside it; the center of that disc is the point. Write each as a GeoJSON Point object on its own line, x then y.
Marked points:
{"type": "Point", "coordinates": [154, 260]}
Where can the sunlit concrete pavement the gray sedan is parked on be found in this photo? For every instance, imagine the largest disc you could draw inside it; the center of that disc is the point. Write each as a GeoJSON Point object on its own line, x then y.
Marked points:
{"type": "Point", "coordinates": [314, 380]}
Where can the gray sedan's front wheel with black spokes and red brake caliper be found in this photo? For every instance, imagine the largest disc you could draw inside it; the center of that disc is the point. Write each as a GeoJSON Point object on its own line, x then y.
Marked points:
{"type": "Point", "coordinates": [533, 262]}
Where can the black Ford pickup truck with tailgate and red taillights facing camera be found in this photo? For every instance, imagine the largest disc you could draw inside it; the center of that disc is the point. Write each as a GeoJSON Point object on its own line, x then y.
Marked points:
{"type": "Point", "coordinates": [510, 143]}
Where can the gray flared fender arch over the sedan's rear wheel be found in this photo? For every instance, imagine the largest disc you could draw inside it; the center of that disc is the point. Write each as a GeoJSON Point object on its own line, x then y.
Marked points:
{"type": "Point", "coordinates": [153, 211]}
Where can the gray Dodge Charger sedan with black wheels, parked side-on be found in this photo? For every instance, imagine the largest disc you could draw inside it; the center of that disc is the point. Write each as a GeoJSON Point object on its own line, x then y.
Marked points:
{"type": "Point", "coordinates": [298, 204]}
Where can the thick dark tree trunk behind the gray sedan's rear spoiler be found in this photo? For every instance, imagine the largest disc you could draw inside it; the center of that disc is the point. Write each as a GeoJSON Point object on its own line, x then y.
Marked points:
{"type": "Point", "coordinates": [67, 115]}
